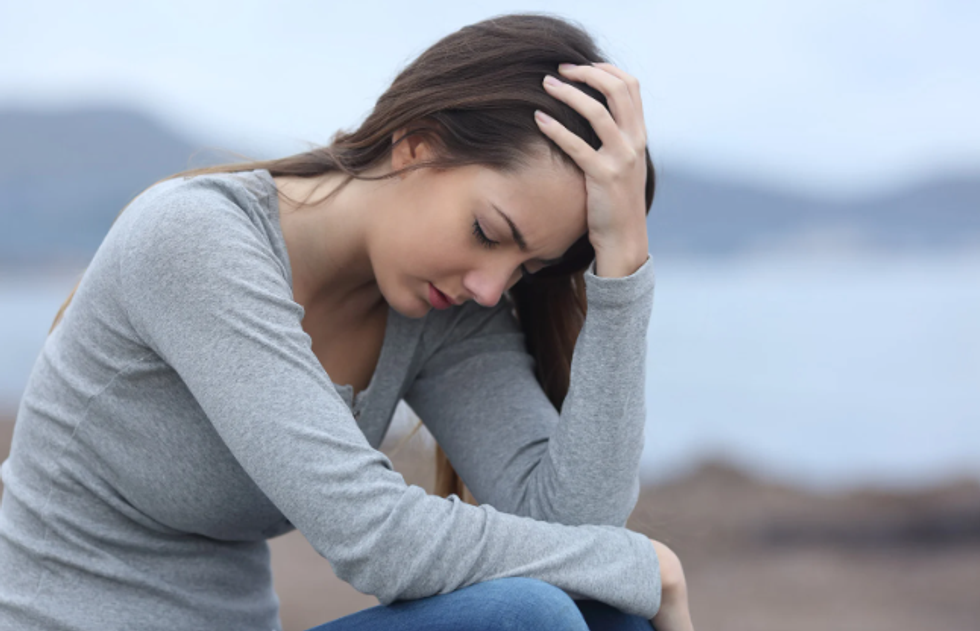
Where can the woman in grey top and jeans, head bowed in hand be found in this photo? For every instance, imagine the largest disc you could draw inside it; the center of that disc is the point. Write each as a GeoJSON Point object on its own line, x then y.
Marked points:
{"type": "Point", "coordinates": [229, 363]}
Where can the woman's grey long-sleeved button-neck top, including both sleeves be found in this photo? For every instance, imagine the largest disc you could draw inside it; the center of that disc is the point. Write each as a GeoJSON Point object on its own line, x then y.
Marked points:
{"type": "Point", "coordinates": [177, 418]}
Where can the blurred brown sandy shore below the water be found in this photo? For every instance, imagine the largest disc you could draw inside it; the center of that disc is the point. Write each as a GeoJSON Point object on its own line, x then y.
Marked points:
{"type": "Point", "coordinates": [758, 555]}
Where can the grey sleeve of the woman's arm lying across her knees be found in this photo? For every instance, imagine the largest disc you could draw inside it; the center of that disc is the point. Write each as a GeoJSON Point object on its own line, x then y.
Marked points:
{"type": "Point", "coordinates": [204, 290]}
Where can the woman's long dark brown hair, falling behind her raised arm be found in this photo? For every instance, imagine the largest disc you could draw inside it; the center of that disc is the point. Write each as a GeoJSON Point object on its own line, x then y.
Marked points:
{"type": "Point", "coordinates": [472, 96]}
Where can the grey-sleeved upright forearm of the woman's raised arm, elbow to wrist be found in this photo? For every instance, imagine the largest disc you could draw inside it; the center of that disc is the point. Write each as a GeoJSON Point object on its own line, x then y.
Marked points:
{"type": "Point", "coordinates": [590, 470]}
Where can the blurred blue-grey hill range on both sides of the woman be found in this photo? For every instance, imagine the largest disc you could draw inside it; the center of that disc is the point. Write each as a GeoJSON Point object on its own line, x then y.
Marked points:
{"type": "Point", "coordinates": [65, 176]}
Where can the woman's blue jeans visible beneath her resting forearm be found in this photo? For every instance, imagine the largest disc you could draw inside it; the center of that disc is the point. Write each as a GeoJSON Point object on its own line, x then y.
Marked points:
{"type": "Point", "coordinates": [506, 604]}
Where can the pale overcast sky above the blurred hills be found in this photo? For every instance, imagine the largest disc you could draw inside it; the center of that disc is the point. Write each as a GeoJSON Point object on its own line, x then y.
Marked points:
{"type": "Point", "coordinates": [826, 96]}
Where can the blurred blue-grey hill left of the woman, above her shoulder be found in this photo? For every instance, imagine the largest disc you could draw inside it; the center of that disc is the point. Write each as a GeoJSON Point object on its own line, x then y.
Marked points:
{"type": "Point", "coordinates": [64, 176]}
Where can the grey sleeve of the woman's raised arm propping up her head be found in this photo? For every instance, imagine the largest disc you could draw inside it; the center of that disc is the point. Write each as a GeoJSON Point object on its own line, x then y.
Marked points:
{"type": "Point", "coordinates": [478, 395]}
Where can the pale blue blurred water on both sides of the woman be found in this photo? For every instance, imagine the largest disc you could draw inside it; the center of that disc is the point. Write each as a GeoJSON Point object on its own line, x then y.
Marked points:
{"type": "Point", "coordinates": [826, 373]}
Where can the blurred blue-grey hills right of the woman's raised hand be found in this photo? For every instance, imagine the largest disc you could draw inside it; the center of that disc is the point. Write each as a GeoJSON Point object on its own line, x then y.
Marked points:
{"type": "Point", "coordinates": [703, 217]}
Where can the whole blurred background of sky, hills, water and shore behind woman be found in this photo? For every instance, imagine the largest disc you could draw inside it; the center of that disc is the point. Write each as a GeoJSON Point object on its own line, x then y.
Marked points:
{"type": "Point", "coordinates": [813, 381]}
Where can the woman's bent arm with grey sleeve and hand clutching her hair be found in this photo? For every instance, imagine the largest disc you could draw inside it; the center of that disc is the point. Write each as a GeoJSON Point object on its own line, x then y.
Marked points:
{"type": "Point", "coordinates": [479, 396]}
